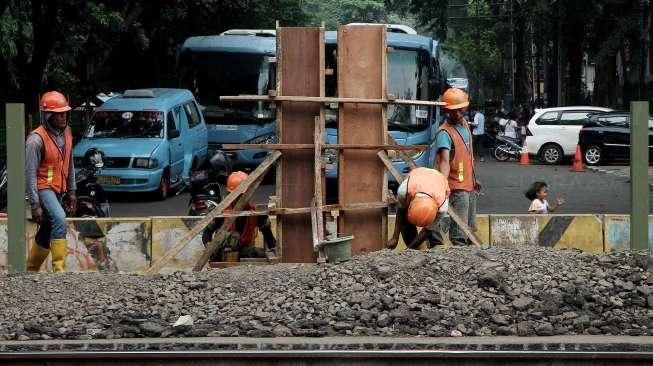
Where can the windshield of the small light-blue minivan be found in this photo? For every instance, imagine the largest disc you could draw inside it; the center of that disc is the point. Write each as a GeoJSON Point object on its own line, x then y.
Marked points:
{"type": "Point", "coordinates": [126, 124]}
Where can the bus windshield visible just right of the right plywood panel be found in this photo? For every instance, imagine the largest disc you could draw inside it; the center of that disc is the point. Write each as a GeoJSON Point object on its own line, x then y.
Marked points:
{"type": "Point", "coordinates": [408, 79]}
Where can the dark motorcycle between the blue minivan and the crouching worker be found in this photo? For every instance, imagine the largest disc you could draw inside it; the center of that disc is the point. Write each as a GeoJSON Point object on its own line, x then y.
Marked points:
{"type": "Point", "coordinates": [205, 191]}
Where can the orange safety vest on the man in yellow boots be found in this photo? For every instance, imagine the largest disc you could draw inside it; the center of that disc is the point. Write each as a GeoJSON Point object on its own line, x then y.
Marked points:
{"type": "Point", "coordinates": [55, 164]}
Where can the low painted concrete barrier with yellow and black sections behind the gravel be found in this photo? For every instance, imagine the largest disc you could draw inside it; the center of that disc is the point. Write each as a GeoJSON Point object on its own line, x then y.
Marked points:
{"type": "Point", "coordinates": [131, 244]}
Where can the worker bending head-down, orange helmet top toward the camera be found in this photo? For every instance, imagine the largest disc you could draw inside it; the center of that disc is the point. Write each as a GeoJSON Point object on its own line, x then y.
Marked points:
{"type": "Point", "coordinates": [422, 201]}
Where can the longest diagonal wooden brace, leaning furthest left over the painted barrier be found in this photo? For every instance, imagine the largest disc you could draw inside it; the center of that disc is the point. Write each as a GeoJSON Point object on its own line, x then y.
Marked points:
{"type": "Point", "coordinates": [226, 202]}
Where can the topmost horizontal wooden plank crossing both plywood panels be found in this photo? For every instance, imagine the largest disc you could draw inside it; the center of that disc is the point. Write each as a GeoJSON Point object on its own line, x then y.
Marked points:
{"type": "Point", "coordinates": [327, 100]}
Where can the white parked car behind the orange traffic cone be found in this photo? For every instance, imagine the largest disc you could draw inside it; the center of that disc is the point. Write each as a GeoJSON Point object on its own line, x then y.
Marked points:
{"type": "Point", "coordinates": [552, 133]}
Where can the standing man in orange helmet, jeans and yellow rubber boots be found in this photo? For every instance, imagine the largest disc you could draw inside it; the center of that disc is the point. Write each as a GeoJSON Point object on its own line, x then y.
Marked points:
{"type": "Point", "coordinates": [50, 173]}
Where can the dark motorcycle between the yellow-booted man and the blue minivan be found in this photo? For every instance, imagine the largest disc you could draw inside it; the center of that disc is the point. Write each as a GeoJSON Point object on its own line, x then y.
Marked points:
{"type": "Point", "coordinates": [92, 200]}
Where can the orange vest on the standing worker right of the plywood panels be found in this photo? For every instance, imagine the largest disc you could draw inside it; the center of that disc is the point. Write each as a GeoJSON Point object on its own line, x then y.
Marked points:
{"type": "Point", "coordinates": [461, 174]}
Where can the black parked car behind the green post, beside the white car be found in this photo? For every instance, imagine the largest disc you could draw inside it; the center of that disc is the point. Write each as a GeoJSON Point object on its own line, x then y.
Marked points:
{"type": "Point", "coordinates": [606, 137]}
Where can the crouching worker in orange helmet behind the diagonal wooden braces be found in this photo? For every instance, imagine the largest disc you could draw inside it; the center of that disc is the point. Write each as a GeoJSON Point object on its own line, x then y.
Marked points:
{"type": "Point", "coordinates": [242, 234]}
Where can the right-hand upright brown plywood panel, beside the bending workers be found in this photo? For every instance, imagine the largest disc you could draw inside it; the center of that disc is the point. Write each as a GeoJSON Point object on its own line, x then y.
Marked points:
{"type": "Point", "coordinates": [362, 74]}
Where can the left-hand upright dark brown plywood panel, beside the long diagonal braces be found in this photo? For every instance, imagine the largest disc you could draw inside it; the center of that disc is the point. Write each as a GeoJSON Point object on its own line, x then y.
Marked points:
{"type": "Point", "coordinates": [298, 73]}
